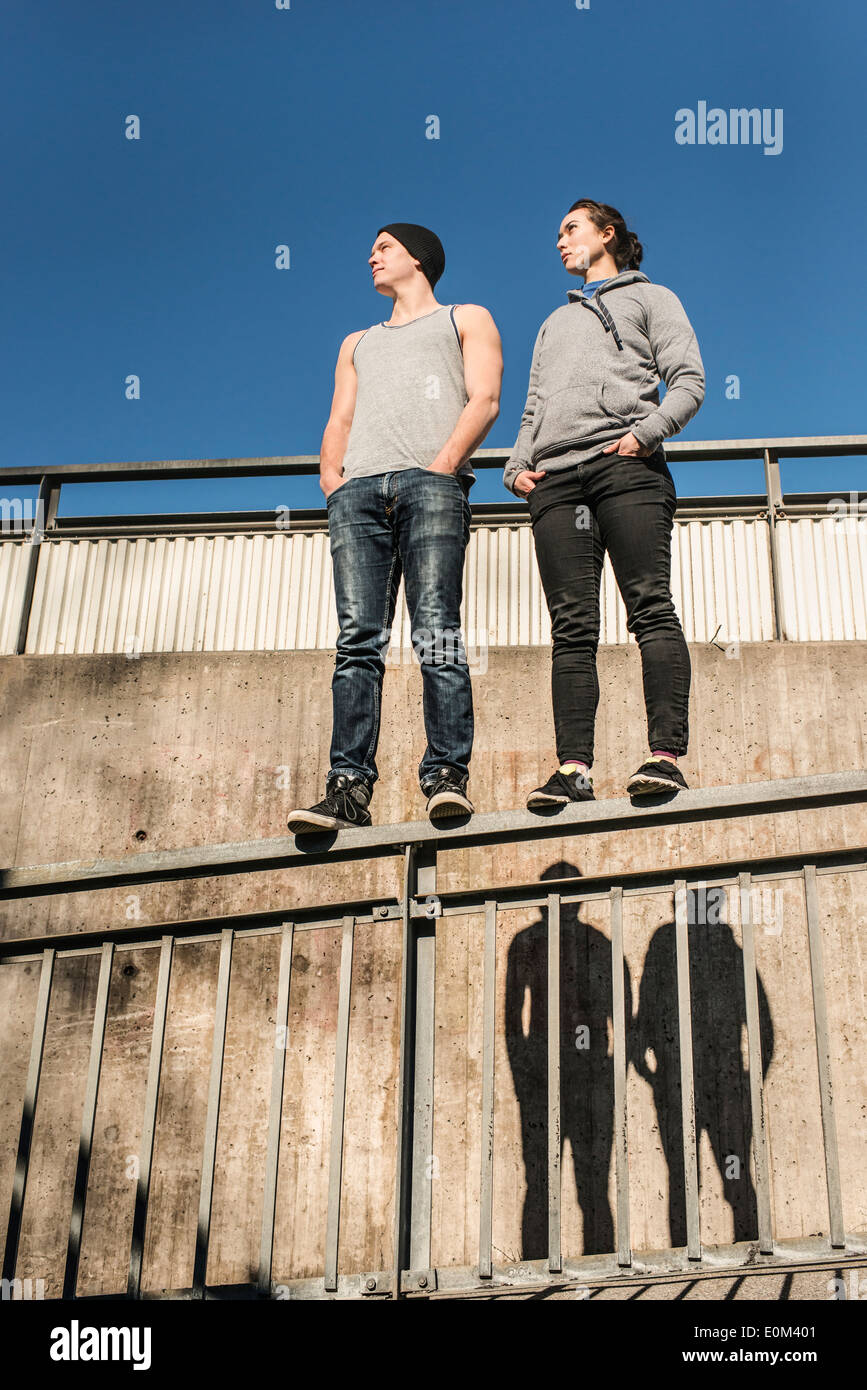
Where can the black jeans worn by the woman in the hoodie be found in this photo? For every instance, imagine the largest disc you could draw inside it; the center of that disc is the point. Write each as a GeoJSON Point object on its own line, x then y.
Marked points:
{"type": "Point", "coordinates": [625, 507]}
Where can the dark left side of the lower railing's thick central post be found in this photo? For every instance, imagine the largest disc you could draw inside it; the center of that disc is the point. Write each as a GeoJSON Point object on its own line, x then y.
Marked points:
{"type": "Point", "coordinates": [406, 1068]}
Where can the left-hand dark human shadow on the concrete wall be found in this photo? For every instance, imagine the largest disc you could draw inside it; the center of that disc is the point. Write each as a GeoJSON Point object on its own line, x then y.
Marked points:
{"type": "Point", "coordinates": [587, 1070]}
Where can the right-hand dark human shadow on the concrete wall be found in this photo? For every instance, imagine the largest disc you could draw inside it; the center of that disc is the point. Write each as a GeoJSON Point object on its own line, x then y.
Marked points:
{"type": "Point", "coordinates": [719, 1035]}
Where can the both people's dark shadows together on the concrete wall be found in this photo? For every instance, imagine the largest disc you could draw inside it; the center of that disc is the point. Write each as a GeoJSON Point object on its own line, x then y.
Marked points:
{"type": "Point", "coordinates": [587, 1068]}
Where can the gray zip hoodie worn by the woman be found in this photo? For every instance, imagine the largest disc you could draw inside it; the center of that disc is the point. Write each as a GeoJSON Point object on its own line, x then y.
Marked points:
{"type": "Point", "coordinates": [595, 375]}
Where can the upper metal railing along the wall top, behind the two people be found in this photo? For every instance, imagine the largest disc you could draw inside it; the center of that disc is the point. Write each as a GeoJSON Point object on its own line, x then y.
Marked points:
{"type": "Point", "coordinates": [48, 526]}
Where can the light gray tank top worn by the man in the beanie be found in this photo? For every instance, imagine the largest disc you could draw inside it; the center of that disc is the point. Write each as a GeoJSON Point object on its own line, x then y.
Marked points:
{"type": "Point", "coordinates": [409, 398]}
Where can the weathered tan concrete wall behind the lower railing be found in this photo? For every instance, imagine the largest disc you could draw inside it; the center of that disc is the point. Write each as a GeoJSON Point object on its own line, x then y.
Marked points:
{"type": "Point", "coordinates": [194, 750]}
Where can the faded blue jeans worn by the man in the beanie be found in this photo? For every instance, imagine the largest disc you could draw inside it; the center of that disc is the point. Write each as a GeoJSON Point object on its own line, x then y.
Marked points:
{"type": "Point", "coordinates": [416, 523]}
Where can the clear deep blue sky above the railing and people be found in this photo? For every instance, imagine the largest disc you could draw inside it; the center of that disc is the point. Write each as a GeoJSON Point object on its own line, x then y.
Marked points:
{"type": "Point", "coordinates": [306, 127]}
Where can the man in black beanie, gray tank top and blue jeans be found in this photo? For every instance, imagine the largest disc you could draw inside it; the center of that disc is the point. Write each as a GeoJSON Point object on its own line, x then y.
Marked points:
{"type": "Point", "coordinates": [413, 400]}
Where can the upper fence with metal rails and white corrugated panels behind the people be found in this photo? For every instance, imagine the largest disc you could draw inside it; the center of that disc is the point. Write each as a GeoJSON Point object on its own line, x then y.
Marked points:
{"type": "Point", "coordinates": [744, 568]}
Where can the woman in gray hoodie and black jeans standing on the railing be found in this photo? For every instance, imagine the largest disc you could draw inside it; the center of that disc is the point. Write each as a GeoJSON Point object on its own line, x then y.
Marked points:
{"type": "Point", "coordinates": [590, 464]}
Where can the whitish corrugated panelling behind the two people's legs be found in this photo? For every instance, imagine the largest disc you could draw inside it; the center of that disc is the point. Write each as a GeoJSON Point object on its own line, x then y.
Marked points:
{"type": "Point", "coordinates": [276, 593]}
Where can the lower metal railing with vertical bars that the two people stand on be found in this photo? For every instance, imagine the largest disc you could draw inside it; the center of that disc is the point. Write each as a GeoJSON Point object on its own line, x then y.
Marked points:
{"type": "Point", "coordinates": [419, 908]}
